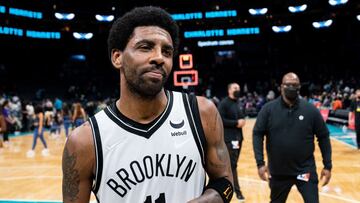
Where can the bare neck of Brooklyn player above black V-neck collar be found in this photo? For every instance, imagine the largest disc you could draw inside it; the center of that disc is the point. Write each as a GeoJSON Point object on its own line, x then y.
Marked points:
{"type": "Point", "coordinates": [141, 110]}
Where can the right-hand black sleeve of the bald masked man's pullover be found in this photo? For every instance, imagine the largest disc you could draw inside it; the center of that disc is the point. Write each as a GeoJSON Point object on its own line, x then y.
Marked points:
{"type": "Point", "coordinates": [323, 137]}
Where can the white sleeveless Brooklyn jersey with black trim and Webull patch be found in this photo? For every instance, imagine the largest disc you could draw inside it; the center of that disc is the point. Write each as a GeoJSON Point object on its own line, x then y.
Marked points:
{"type": "Point", "coordinates": [158, 162]}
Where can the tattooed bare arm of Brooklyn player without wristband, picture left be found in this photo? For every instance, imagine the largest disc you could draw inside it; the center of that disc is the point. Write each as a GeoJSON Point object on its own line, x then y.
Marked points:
{"type": "Point", "coordinates": [77, 165]}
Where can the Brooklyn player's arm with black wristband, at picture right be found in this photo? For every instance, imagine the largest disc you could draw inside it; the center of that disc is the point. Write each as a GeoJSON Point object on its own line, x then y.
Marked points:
{"type": "Point", "coordinates": [220, 186]}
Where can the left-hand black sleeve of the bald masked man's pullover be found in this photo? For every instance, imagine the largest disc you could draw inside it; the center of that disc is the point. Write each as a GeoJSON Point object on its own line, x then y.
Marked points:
{"type": "Point", "coordinates": [258, 136]}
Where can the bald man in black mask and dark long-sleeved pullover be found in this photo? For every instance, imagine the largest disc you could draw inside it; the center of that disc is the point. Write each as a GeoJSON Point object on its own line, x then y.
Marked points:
{"type": "Point", "coordinates": [290, 124]}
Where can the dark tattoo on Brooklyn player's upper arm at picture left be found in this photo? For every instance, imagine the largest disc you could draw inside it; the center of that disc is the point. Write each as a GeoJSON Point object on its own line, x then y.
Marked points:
{"type": "Point", "coordinates": [71, 179]}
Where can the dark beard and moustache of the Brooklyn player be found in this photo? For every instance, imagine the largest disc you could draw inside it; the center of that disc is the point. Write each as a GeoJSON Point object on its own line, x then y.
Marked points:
{"type": "Point", "coordinates": [141, 86]}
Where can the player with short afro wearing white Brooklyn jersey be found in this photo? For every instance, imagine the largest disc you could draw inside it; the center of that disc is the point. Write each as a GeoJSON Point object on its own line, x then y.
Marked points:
{"type": "Point", "coordinates": [151, 145]}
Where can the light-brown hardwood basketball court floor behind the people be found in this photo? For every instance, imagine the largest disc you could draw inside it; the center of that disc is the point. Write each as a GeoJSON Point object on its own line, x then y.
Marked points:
{"type": "Point", "coordinates": [39, 178]}
